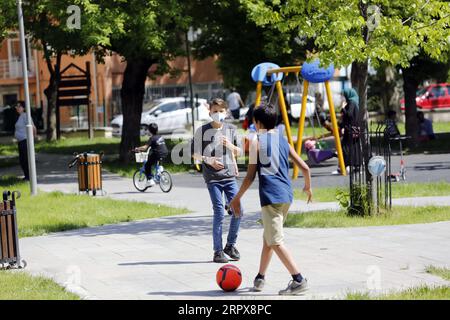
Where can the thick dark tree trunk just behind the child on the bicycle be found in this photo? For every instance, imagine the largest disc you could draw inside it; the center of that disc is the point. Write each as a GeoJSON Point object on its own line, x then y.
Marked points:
{"type": "Point", "coordinates": [132, 95]}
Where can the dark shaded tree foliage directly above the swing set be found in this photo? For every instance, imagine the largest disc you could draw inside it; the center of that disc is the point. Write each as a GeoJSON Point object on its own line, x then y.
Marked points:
{"type": "Point", "coordinates": [240, 44]}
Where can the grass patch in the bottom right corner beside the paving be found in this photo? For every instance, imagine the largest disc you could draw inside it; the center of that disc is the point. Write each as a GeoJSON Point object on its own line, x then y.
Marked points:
{"type": "Point", "coordinates": [416, 293]}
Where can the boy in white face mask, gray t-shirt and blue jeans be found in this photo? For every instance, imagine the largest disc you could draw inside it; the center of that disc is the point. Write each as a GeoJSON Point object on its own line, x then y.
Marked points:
{"type": "Point", "coordinates": [215, 145]}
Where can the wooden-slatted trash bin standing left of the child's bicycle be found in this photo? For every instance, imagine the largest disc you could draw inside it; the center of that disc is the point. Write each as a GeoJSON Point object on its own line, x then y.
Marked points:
{"type": "Point", "coordinates": [89, 172]}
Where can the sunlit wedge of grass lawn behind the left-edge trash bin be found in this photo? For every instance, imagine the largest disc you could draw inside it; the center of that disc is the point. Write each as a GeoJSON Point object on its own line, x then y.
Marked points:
{"type": "Point", "coordinates": [55, 211]}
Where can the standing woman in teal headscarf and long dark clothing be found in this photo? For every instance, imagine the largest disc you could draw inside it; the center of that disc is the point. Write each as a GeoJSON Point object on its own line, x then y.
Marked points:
{"type": "Point", "coordinates": [350, 128]}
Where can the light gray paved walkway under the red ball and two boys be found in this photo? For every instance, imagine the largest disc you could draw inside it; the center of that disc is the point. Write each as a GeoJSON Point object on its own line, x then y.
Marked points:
{"type": "Point", "coordinates": [170, 258]}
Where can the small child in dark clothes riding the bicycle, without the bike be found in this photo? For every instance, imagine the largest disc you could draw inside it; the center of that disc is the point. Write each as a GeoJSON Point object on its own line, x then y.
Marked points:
{"type": "Point", "coordinates": [158, 151]}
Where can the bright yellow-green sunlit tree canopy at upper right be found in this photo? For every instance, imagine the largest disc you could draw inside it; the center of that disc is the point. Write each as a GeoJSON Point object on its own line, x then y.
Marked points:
{"type": "Point", "coordinates": [358, 31]}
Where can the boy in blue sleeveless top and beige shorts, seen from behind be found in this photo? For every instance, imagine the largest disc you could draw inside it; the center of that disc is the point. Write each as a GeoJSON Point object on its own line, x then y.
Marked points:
{"type": "Point", "coordinates": [269, 157]}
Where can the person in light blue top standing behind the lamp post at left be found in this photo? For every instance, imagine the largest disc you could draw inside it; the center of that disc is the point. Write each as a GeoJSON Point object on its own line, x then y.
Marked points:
{"type": "Point", "coordinates": [20, 134]}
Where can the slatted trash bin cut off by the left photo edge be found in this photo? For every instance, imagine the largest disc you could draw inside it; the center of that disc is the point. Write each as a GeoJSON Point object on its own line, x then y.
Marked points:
{"type": "Point", "coordinates": [9, 235]}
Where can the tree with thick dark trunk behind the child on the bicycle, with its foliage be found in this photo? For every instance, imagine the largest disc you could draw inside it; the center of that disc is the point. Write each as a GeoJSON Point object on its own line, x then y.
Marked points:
{"type": "Point", "coordinates": [144, 33]}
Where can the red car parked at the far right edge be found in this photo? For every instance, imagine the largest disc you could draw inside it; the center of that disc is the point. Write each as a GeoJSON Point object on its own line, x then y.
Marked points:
{"type": "Point", "coordinates": [432, 97]}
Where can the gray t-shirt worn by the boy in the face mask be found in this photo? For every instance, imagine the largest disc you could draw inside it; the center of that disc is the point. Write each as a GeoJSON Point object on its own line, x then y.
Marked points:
{"type": "Point", "coordinates": [207, 142]}
